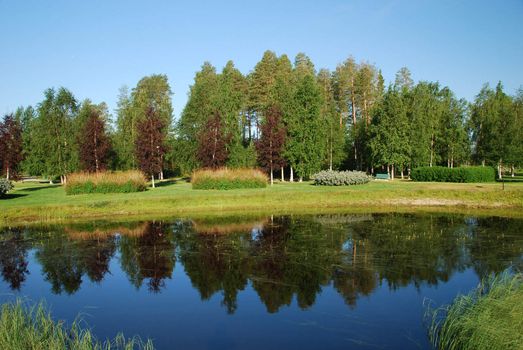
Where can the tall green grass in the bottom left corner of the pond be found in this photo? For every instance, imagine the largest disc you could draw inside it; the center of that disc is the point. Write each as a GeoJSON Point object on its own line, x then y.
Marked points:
{"type": "Point", "coordinates": [29, 327]}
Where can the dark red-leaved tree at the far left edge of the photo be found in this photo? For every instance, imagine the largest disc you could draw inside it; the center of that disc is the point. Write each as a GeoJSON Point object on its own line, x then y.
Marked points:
{"type": "Point", "coordinates": [10, 146]}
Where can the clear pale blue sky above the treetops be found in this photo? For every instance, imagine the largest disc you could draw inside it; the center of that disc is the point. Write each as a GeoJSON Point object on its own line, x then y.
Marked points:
{"type": "Point", "coordinates": [94, 47]}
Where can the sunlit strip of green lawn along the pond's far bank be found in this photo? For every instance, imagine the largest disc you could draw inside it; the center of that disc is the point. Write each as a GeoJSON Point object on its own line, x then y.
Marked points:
{"type": "Point", "coordinates": [33, 202]}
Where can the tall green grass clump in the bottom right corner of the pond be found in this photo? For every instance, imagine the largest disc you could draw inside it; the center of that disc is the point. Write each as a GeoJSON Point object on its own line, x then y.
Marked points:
{"type": "Point", "coordinates": [490, 317]}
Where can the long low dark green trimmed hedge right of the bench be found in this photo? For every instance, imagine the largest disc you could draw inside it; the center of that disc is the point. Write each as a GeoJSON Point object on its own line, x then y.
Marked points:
{"type": "Point", "coordinates": [461, 174]}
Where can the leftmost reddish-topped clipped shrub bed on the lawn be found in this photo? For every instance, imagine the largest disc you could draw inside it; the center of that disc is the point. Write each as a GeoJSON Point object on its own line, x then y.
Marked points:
{"type": "Point", "coordinates": [106, 182]}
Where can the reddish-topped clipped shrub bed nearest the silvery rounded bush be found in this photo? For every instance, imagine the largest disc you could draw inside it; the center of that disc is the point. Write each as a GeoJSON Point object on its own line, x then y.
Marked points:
{"type": "Point", "coordinates": [227, 179]}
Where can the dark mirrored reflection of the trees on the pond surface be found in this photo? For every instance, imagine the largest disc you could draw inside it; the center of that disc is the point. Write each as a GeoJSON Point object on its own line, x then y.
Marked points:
{"type": "Point", "coordinates": [282, 258]}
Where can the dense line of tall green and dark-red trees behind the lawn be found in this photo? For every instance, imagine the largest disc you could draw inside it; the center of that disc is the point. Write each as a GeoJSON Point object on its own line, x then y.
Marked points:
{"type": "Point", "coordinates": [286, 117]}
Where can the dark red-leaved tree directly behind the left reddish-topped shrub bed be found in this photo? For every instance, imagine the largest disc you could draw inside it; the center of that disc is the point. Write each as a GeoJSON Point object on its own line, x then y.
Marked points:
{"type": "Point", "coordinates": [94, 144]}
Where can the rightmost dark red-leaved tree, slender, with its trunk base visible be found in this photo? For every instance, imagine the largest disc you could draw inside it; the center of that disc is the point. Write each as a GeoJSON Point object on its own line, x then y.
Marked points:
{"type": "Point", "coordinates": [270, 145]}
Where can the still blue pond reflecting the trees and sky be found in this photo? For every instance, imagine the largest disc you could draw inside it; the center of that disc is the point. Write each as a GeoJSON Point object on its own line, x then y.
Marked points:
{"type": "Point", "coordinates": [293, 282]}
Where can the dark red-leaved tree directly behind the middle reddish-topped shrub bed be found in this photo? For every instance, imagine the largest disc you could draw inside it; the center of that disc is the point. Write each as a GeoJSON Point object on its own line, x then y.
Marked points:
{"type": "Point", "coordinates": [212, 143]}
